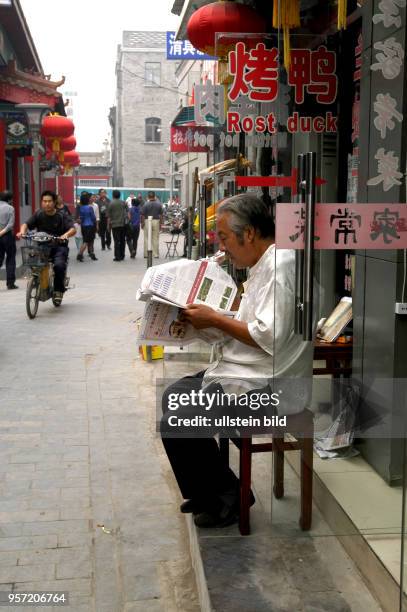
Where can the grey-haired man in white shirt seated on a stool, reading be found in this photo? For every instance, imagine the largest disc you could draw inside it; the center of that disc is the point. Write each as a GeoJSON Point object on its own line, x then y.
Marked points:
{"type": "Point", "coordinates": [246, 358]}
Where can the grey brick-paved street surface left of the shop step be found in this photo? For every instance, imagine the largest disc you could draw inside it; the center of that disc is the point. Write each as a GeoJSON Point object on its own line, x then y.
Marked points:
{"type": "Point", "coordinates": [87, 501]}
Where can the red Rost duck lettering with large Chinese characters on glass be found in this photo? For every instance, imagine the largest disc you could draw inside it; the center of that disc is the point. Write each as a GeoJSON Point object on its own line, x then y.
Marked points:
{"type": "Point", "coordinates": [254, 76]}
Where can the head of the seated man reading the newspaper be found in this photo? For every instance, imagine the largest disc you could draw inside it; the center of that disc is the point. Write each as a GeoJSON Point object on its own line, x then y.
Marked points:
{"type": "Point", "coordinates": [245, 229]}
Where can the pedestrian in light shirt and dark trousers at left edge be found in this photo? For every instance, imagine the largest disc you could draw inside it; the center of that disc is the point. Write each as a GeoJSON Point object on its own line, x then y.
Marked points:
{"type": "Point", "coordinates": [7, 238]}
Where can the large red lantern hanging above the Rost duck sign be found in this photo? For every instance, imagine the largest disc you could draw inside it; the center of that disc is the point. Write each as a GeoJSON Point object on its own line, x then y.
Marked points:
{"type": "Point", "coordinates": [222, 16]}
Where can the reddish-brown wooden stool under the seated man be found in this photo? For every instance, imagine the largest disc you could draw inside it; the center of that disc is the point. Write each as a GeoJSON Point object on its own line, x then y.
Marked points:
{"type": "Point", "coordinates": [301, 424]}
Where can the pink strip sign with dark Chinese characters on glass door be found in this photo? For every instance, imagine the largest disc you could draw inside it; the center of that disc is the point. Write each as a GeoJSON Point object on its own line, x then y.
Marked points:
{"type": "Point", "coordinates": [344, 226]}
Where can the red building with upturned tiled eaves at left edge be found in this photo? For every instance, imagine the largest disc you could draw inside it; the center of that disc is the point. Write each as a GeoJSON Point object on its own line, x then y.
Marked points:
{"type": "Point", "coordinates": [22, 80]}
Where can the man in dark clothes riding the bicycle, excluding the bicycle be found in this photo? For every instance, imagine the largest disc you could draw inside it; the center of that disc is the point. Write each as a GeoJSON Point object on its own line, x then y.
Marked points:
{"type": "Point", "coordinates": [53, 222]}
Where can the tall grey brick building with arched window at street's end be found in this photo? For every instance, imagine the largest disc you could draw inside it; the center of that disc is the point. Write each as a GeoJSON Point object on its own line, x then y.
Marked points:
{"type": "Point", "coordinates": [146, 104]}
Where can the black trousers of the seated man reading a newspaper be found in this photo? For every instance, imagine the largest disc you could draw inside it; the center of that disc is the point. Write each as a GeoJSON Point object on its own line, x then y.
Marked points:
{"type": "Point", "coordinates": [201, 473]}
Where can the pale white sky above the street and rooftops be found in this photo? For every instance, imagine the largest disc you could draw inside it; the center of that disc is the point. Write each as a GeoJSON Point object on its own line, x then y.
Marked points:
{"type": "Point", "coordinates": [78, 39]}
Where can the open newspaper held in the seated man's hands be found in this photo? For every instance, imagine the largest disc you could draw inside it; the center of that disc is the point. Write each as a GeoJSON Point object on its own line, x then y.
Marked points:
{"type": "Point", "coordinates": [168, 288]}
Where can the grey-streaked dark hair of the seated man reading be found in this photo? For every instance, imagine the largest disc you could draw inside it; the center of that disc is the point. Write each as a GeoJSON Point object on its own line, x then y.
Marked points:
{"type": "Point", "coordinates": [247, 210]}
